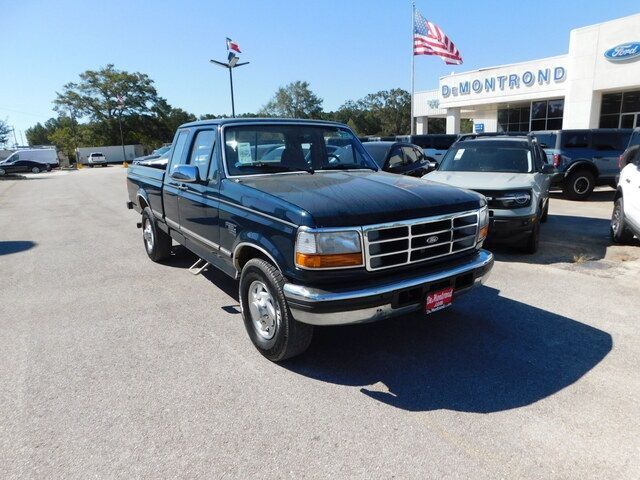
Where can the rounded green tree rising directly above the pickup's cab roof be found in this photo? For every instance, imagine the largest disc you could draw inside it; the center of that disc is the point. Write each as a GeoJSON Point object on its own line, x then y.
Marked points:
{"type": "Point", "coordinates": [295, 100]}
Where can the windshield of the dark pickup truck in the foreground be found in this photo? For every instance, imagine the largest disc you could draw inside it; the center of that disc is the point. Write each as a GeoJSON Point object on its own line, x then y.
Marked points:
{"type": "Point", "coordinates": [259, 149]}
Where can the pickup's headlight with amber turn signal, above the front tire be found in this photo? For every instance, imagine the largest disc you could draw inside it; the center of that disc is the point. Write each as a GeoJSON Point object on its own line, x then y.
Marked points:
{"type": "Point", "coordinates": [330, 249]}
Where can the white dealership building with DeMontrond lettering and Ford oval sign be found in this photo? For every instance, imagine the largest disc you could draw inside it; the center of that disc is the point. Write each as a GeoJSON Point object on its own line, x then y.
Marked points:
{"type": "Point", "coordinates": [595, 85]}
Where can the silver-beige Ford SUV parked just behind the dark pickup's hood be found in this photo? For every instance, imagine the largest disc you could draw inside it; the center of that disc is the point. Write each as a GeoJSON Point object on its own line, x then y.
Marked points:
{"type": "Point", "coordinates": [511, 172]}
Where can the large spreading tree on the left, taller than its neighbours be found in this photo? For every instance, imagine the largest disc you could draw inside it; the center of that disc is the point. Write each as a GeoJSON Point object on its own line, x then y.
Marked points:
{"type": "Point", "coordinates": [96, 95]}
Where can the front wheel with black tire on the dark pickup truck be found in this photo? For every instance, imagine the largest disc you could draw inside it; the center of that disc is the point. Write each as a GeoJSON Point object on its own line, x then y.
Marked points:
{"type": "Point", "coordinates": [288, 336]}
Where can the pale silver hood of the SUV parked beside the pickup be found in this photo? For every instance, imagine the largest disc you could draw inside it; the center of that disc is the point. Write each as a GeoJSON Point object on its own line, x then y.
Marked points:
{"type": "Point", "coordinates": [483, 180]}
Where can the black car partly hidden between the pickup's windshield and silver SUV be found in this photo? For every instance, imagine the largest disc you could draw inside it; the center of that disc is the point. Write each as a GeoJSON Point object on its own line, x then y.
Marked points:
{"type": "Point", "coordinates": [398, 157]}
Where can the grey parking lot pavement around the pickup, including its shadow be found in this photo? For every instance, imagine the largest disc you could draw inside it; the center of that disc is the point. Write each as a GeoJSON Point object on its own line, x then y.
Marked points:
{"type": "Point", "coordinates": [113, 366]}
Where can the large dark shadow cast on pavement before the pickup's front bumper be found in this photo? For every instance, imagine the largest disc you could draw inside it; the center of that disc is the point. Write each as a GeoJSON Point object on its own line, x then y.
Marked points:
{"type": "Point", "coordinates": [486, 354]}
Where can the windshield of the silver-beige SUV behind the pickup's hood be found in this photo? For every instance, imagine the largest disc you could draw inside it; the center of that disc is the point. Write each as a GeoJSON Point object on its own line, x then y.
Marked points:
{"type": "Point", "coordinates": [494, 156]}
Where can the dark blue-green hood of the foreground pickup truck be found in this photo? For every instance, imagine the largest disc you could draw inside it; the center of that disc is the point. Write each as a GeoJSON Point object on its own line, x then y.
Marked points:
{"type": "Point", "coordinates": [350, 198]}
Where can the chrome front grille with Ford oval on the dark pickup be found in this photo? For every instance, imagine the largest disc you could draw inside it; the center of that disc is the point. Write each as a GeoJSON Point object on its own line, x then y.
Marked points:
{"type": "Point", "coordinates": [414, 241]}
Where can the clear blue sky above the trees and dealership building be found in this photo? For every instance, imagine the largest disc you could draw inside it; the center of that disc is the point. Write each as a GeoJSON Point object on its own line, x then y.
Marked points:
{"type": "Point", "coordinates": [345, 49]}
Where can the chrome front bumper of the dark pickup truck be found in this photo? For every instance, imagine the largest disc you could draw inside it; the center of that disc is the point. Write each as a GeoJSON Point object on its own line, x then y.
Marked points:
{"type": "Point", "coordinates": [341, 307]}
